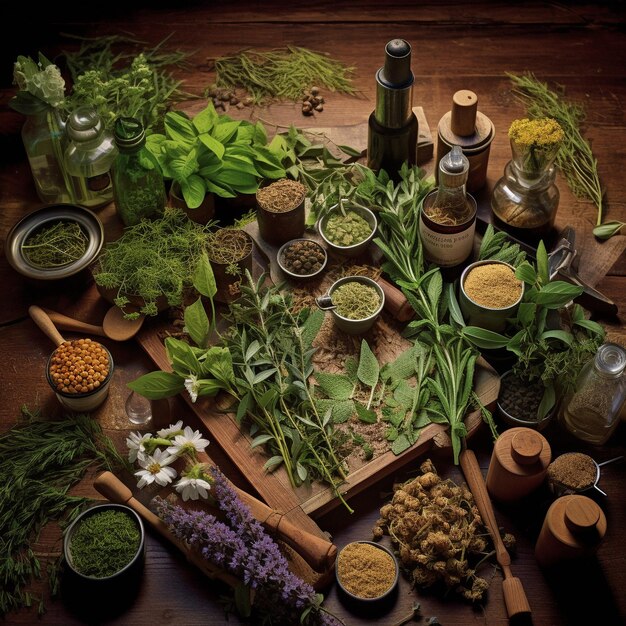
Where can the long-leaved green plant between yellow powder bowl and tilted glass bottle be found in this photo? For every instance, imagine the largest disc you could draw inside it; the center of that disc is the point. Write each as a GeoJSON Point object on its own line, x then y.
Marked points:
{"type": "Point", "coordinates": [550, 338]}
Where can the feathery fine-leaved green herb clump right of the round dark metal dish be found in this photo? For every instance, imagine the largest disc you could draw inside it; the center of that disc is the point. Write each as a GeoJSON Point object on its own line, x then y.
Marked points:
{"type": "Point", "coordinates": [153, 259]}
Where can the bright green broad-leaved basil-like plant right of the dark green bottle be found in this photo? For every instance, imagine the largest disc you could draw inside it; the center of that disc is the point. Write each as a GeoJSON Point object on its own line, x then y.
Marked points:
{"type": "Point", "coordinates": [213, 153]}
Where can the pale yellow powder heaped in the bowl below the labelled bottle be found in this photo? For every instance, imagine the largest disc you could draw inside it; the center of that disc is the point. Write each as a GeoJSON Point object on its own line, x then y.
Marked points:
{"type": "Point", "coordinates": [492, 285]}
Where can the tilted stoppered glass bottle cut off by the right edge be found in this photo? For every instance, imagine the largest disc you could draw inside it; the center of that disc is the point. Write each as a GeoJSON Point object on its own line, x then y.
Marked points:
{"type": "Point", "coordinates": [591, 412]}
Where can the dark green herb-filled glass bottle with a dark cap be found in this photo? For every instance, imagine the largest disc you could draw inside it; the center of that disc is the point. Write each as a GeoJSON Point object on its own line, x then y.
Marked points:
{"type": "Point", "coordinates": [138, 187]}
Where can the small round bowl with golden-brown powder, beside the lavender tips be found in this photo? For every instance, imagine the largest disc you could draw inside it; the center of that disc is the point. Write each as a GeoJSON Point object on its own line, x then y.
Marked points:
{"type": "Point", "coordinates": [360, 571]}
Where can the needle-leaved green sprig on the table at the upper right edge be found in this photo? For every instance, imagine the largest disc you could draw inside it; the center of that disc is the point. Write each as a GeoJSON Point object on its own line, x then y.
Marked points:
{"type": "Point", "coordinates": [575, 159]}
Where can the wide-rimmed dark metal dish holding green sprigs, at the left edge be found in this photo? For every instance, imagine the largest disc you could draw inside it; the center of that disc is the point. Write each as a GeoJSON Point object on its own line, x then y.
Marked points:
{"type": "Point", "coordinates": [54, 242]}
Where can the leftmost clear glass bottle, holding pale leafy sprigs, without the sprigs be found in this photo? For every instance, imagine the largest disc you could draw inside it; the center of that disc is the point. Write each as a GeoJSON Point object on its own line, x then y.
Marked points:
{"type": "Point", "coordinates": [43, 135]}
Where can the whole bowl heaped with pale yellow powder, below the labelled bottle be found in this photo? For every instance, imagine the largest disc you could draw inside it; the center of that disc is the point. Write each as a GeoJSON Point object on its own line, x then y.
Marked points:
{"type": "Point", "coordinates": [490, 293]}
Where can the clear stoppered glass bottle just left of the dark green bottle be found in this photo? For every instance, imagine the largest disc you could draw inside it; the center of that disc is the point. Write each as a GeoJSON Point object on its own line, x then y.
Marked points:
{"type": "Point", "coordinates": [88, 158]}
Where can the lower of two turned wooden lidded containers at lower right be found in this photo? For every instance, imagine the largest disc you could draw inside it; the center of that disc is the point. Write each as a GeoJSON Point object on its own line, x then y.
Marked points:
{"type": "Point", "coordinates": [573, 527]}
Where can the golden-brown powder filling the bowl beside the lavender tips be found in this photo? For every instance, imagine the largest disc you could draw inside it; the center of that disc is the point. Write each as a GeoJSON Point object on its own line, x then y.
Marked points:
{"type": "Point", "coordinates": [365, 570]}
